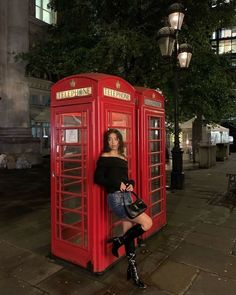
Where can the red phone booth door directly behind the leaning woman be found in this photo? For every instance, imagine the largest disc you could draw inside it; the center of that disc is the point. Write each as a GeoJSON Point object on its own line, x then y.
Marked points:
{"type": "Point", "coordinates": [123, 121]}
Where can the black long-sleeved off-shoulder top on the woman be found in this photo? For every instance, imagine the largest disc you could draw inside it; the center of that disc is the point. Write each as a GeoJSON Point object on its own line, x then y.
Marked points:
{"type": "Point", "coordinates": [110, 172]}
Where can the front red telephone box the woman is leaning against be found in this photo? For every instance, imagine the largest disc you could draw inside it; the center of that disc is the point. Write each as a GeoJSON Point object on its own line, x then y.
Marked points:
{"type": "Point", "coordinates": [82, 108]}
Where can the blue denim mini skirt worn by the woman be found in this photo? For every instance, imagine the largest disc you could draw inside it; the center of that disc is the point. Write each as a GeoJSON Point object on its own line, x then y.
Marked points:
{"type": "Point", "coordinates": [116, 203]}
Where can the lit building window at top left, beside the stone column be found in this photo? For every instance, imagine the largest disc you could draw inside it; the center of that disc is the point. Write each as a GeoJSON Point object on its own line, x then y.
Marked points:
{"type": "Point", "coordinates": [44, 13]}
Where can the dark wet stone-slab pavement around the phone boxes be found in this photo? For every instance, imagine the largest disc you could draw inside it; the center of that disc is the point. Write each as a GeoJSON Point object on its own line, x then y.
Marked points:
{"type": "Point", "coordinates": [194, 254]}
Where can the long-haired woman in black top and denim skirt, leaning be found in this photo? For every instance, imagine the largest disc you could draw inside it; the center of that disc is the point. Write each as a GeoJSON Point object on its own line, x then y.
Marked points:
{"type": "Point", "coordinates": [112, 173]}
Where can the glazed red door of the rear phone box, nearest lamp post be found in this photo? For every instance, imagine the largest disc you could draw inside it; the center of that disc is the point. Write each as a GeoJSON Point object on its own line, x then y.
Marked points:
{"type": "Point", "coordinates": [156, 169]}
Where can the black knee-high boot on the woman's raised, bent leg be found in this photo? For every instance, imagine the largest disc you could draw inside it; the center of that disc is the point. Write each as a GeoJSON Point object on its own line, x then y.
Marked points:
{"type": "Point", "coordinates": [130, 235]}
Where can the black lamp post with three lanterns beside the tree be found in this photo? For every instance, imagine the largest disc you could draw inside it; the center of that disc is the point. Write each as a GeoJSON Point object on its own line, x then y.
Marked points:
{"type": "Point", "coordinates": [169, 46]}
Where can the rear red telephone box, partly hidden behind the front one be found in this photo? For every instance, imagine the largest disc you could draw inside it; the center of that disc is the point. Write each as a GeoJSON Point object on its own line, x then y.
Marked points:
{"type": "Point", "coordinates": [151, 154]}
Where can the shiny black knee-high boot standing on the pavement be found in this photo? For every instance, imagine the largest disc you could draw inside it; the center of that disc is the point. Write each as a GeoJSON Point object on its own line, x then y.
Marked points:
{"type": "Point", "coordinates": [132, 272]}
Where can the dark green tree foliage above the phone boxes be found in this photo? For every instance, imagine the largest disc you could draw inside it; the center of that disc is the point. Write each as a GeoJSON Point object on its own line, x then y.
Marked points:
{"type": "Point", "coordinates": [119, 37]}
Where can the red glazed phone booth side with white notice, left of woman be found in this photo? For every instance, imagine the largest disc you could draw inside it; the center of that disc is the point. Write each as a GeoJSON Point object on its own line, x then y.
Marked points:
{"type": "Point", "coordinates": [70, 156]}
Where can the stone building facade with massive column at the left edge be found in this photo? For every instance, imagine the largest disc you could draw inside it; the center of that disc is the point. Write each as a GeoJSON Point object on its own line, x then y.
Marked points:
{"type": "Point", "coordinates": [22, 99]}
